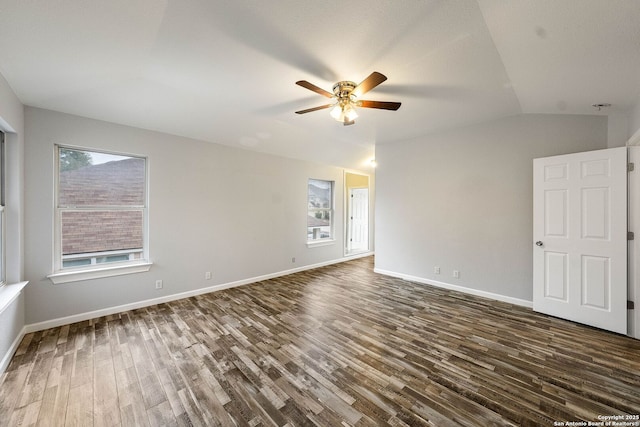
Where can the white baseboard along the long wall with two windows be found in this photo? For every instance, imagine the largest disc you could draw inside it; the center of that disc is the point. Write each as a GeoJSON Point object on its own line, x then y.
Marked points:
{"type": "Point", "coordinates": [167, 298]}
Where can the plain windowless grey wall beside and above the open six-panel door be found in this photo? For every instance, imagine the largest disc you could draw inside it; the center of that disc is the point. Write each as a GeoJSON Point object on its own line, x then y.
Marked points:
{"type": "Point", "coordinates": [463, 200]}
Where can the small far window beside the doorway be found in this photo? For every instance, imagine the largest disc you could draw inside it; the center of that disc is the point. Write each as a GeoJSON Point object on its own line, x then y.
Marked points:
{"type": "Point", "coordinates": [320, 210]}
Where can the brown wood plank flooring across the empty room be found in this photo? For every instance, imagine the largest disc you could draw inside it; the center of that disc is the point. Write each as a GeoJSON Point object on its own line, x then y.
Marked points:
{"type": "Point", "coordinates": [335, 346]}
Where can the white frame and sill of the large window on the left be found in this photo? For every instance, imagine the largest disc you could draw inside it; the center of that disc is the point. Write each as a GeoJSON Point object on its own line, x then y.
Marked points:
{"type": "Point", "coordinates": [95, 270]}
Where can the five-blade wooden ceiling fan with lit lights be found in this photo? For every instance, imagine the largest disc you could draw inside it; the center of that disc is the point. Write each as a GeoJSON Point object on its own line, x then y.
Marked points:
{"type": "Point", "coordinates": [345, 98]}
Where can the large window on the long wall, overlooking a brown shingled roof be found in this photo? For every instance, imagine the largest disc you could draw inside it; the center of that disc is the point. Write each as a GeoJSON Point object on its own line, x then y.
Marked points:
{"type": "Point", "coordinates": [101, 209]}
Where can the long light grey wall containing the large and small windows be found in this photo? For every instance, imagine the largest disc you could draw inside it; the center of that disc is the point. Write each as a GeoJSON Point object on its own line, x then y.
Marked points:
{"type": "Point", "coordinates": [237, 213]}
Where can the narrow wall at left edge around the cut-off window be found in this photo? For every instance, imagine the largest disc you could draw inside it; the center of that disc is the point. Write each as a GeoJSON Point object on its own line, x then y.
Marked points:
{"type": "Point", "coordinates": [12, 318]}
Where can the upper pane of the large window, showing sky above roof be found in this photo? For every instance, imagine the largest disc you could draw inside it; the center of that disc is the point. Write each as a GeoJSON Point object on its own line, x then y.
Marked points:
{"type": "Point", "coordinates": [97, 179]}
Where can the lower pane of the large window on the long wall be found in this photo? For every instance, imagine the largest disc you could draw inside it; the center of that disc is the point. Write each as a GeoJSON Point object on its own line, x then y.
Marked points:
{"type": "Point", "coordinates": [97, 231]}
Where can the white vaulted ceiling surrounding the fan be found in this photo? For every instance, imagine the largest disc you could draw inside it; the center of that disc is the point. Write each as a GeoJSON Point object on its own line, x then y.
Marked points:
{"type": "Point", "coordinates": [224, 71]}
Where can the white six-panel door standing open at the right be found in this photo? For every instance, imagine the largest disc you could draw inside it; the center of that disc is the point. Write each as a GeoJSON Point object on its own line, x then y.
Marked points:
{"type": "Point", "coordinates": [580, 237]}
